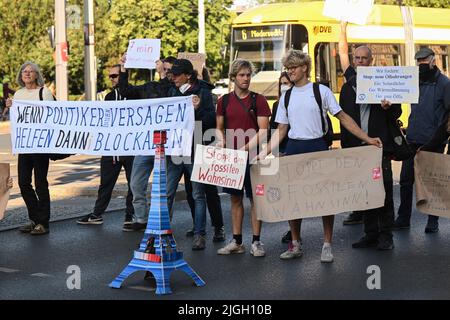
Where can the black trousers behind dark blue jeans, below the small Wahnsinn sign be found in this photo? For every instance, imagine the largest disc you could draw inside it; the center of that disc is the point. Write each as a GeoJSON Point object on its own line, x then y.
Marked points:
{"type": "Point", "coordinates": [212, 201]}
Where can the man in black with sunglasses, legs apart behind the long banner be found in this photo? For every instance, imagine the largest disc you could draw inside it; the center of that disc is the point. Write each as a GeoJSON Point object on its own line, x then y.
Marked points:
{"type": "Point", "coordinates": [110, 167]}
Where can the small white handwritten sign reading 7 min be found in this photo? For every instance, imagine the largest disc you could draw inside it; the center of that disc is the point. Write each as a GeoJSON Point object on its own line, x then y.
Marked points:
{"type": "Point", "coordinates": [143, 53]}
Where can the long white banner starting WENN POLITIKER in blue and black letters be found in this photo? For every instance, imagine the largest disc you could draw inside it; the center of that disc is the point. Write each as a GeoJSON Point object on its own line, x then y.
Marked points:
{"type": "Point", "coordinates": [102, 127]}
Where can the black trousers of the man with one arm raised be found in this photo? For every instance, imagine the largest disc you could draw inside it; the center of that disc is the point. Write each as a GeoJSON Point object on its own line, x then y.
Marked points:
{"type": "Point", "coordinates": [378, 222]}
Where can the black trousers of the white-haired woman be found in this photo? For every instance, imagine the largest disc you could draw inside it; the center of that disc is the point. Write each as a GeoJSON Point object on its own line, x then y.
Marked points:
{"type": "Point", "coordinates": [37, 201]}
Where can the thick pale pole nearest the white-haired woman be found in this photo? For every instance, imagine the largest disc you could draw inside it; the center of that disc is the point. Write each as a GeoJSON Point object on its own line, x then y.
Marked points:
{"type": "Point", "coordinates": [61, 54]}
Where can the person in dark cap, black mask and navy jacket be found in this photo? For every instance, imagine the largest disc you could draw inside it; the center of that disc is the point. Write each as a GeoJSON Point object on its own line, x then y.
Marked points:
{"type": "Point", "coordinates": [425, 117]}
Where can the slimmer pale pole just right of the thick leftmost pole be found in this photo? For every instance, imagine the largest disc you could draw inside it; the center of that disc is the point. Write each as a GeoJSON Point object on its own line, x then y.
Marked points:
{"type": "Point", "coordinates": [90, 74]}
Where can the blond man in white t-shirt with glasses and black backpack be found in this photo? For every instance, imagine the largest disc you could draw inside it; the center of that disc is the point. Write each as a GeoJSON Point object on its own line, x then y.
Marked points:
{"type": "Point", "coordinates": [306, 134]}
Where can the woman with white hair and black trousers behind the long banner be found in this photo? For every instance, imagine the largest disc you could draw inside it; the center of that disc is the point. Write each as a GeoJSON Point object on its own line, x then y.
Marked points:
{"type": "Point", "coordinates": [32, 87]}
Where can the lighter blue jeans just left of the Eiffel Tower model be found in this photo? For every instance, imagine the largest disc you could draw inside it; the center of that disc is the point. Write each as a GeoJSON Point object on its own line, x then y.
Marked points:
{"type": "Point", "coordinates": [142, 168]}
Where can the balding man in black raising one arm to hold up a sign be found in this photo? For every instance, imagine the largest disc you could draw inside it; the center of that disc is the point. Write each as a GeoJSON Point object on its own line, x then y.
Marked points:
{"type": "Point", "coordinates": [373, 120]}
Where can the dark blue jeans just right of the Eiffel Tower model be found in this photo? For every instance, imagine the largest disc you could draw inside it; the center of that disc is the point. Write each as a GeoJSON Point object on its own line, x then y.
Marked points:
{"type": "Point", "coordinates": [174, 173]}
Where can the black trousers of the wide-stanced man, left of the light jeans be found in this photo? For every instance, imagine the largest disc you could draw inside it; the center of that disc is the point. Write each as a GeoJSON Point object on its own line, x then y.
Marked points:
{"type": "Point", "coordinates": [110, 168]}
